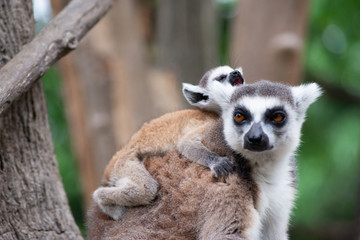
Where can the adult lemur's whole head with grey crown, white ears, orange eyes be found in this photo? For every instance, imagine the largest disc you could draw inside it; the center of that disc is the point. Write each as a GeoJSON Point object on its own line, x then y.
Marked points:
{"type": "Point", "coordinates": [264, 119]}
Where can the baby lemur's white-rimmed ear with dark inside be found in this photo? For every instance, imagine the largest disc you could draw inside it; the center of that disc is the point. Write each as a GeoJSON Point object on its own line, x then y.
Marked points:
{"type": "Point", "coordinates": [195, 95]}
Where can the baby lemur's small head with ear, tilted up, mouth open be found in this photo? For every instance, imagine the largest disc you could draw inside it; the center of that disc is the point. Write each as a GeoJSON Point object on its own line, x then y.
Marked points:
{"type": "Point", "coordinates": [202, 95]}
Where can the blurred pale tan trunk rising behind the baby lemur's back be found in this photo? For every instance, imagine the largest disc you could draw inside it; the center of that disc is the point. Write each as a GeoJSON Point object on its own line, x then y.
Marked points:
{"type": "Point", "coordinates": [128, 70]}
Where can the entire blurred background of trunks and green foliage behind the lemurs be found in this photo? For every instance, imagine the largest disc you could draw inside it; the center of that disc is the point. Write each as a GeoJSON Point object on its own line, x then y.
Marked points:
{"type": "Point", "coordinates": [129, 69]}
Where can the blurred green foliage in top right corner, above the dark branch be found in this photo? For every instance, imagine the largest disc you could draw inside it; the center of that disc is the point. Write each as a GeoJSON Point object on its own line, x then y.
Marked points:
{"type": "Point", "coordinates": [333, 46]}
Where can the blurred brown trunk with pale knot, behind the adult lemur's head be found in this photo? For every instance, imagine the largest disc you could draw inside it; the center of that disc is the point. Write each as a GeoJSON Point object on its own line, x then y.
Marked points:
{"type": "Point", "coordinates": [268, 38]}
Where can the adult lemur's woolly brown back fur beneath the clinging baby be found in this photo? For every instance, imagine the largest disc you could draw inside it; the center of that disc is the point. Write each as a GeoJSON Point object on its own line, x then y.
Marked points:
{"type": "Point", "coordinates": [191, 203]}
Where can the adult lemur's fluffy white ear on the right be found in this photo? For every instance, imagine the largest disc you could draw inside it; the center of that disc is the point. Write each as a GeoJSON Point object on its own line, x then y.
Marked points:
{"type": "Point", "coordinates": [305, 94]}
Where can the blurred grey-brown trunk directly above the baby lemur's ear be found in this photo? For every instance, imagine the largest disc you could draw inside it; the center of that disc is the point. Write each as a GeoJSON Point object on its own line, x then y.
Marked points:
{"type": "Point", "coordinates": [187, 38]}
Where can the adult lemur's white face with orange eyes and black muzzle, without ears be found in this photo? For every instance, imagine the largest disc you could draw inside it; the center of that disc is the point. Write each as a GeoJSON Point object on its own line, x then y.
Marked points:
{"type": "Point", "coordinates": [259, 124]}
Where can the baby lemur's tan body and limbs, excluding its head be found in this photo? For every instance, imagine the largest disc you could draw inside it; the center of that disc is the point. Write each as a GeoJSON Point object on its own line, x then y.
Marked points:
{"type": "Point", "coordinates": [126, 180]}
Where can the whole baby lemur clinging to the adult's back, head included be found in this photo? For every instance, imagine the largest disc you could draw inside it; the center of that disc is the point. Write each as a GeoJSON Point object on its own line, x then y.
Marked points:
{"type": "Point", "coordinates": [127, 182]}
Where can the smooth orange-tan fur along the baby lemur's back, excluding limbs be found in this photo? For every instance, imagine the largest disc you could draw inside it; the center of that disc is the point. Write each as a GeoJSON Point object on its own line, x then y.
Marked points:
{"type": "Point", "coordinates": [159, 136]}
